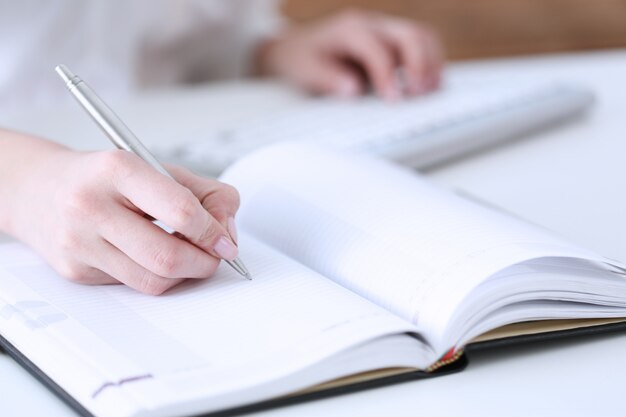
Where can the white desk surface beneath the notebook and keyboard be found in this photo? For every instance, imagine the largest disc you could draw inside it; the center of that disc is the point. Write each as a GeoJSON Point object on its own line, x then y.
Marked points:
{"type": "Point", "coordinates": [571, 179]}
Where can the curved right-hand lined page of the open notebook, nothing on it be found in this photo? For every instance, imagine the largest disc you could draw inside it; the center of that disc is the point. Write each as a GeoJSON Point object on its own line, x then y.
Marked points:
{"type": "Point", "coordinates": [381, 230]}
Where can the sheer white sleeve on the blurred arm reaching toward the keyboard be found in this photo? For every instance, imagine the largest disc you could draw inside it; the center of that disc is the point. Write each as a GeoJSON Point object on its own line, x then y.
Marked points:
{"type": "Point", "coordinates": [194, 40]}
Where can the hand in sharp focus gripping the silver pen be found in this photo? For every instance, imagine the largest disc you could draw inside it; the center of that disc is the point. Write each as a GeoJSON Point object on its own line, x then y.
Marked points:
{"type": "Point", "coordinates": [89, 215]}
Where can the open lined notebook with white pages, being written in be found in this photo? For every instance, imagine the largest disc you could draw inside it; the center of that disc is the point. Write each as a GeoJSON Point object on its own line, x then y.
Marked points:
{"type": "Point", "coordinates": [361, 270]}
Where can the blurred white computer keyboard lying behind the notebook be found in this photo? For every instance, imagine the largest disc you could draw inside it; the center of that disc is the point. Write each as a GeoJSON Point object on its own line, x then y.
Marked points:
{"type": "Point", "coordinates": [420, 132]}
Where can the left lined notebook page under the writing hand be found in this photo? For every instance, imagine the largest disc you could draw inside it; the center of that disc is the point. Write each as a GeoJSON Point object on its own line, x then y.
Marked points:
{"type": "Point", "coordinates": [225, 331]}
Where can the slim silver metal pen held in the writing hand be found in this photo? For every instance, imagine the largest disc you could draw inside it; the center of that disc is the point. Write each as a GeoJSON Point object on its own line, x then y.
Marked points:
{"type": "Point", "coordinates": [120, 134]}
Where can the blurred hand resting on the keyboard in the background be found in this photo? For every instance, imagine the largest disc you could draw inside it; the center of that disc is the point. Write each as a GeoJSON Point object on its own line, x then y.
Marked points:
{"type": "Point", "coordinates": [341, 54]}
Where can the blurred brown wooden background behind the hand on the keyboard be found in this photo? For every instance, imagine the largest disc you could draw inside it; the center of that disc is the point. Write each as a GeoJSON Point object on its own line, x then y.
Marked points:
{"type": "Point", "coordinates": [481, 28]}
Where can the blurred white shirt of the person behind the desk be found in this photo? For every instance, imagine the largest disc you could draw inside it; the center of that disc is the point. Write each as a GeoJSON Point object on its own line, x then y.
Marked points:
{"type": "Point", "coordinates": [121, 45]}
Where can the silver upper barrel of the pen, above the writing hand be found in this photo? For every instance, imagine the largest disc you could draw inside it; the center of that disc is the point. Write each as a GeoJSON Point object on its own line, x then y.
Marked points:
{"type": "Point", "coordinates": [111, 124]}
